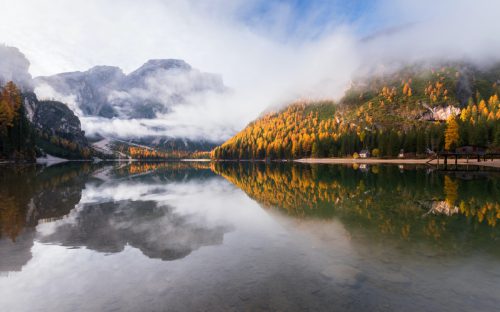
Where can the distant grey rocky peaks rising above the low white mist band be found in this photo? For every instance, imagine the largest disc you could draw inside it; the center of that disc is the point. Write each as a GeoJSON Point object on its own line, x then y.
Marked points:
{"type": "Point", "coordinates": [151, 90]}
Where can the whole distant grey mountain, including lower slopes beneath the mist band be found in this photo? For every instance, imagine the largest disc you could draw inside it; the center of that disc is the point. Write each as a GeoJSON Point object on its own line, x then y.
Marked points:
{"type": "Point", "coordinates": [105, 93]}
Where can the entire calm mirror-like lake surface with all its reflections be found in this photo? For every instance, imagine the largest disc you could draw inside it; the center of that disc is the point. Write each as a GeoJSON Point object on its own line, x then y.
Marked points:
{"type": "Point", "coordinates": [239, 236]}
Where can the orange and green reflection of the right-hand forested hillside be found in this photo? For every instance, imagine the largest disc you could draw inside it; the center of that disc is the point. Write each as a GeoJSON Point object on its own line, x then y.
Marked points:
{"type": "Point", "coordinates": [406, 204]}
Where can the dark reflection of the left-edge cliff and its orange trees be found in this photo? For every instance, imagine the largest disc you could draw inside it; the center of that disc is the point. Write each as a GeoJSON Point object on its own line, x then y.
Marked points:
{"type": "Point", "coordinates": [30, 195]}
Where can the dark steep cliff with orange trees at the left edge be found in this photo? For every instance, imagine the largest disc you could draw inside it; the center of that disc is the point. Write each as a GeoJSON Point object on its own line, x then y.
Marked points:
{"type": "Point", "coordinates": [29, 127]}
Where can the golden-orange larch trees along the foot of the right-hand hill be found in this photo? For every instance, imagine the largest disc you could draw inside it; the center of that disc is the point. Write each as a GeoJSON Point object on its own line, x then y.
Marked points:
{"type": "Point", "coordinates": [320, 130]}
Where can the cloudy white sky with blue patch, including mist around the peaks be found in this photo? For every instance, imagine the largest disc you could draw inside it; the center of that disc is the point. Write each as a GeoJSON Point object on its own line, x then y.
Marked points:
{"type": "Point", "coordinates": [268, 53]}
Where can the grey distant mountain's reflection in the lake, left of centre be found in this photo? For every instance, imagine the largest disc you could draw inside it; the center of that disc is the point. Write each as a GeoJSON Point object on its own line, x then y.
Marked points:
{"type": "Point", "coordinates": [157, 231]}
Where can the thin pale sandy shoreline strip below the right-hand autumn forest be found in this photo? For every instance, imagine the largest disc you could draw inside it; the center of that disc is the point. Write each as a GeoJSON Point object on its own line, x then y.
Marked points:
{"type": "Point", "coordinates": [395, 161]}
